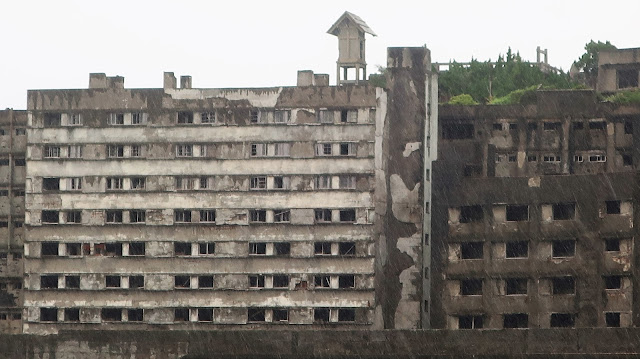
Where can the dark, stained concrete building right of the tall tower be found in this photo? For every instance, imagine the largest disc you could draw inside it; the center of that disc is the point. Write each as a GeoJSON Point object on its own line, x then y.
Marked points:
{"type": "Point", "coordinates": [534, 213]}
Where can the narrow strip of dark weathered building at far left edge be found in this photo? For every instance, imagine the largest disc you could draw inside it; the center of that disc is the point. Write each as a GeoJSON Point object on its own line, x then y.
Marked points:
{"type": "Point", "coordinates": [13, 142]}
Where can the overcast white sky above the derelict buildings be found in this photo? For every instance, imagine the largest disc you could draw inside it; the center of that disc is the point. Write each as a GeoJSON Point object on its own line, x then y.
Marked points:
{"type": "Point", "coordinates": [56, 44]}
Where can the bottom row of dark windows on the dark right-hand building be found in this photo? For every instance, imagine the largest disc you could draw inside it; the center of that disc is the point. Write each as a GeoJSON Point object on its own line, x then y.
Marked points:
{"type": "Point", "coordinates": [521, 320]}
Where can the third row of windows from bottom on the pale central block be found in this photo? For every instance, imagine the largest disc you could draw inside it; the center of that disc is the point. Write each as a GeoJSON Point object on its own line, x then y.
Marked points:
{"type": "Point", "coordinates": [115, 249]}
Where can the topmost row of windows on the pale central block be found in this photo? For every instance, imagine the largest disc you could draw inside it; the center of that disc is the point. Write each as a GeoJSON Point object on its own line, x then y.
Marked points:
{"type": "Point", "coordinates": [258, 116]}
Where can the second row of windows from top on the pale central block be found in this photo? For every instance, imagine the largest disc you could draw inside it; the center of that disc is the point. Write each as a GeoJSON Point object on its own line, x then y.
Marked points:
{"type": "Point", "coordinates": [264, 149]}
